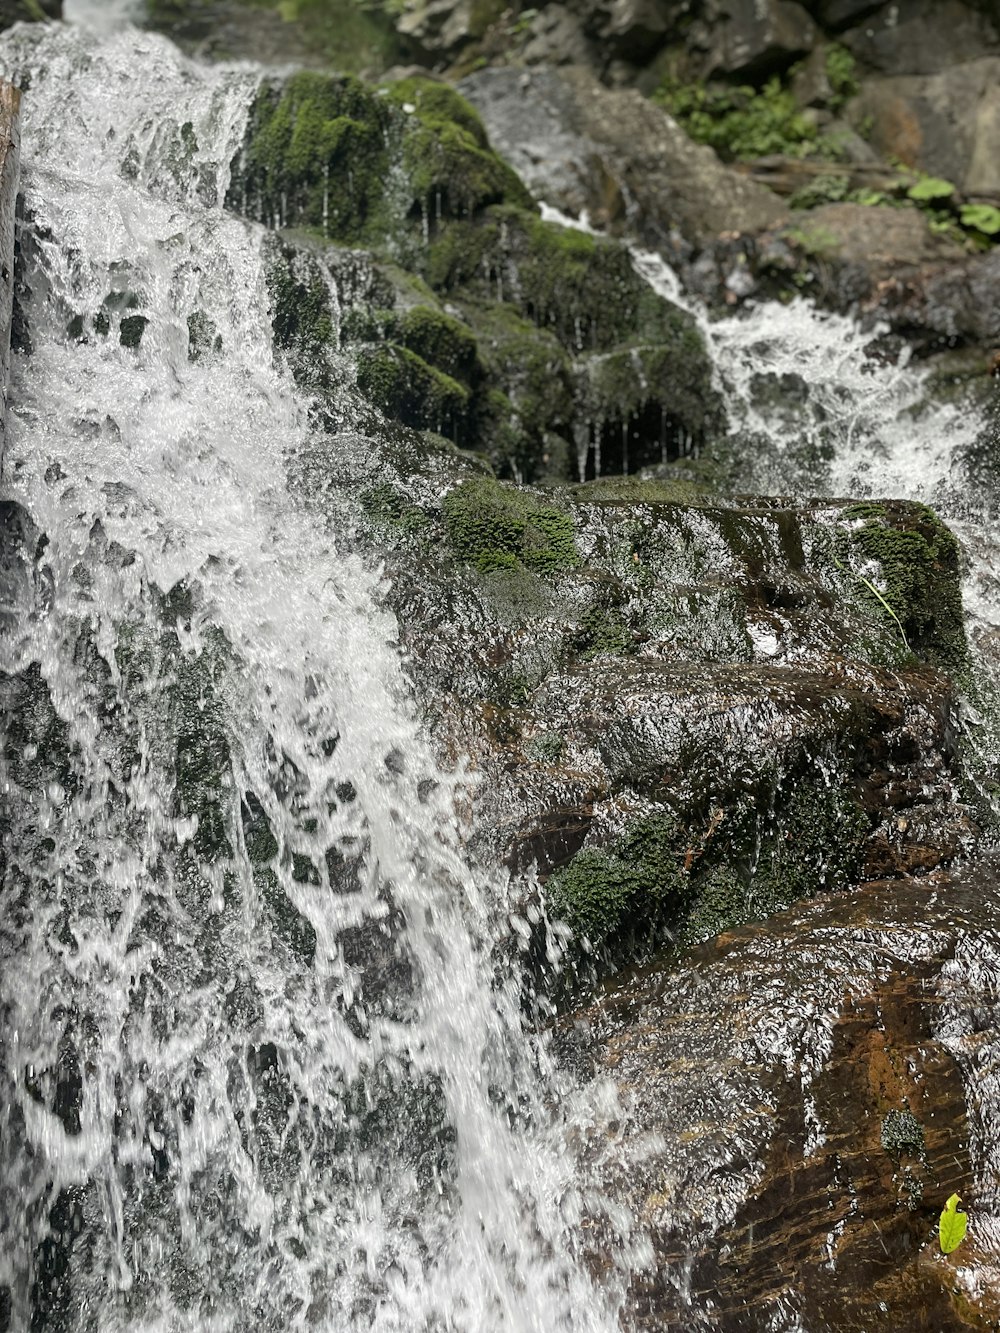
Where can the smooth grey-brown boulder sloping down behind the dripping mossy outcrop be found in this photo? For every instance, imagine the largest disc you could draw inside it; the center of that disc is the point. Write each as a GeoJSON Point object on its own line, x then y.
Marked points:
{"type": "Point", "coordinates": [614, 155]}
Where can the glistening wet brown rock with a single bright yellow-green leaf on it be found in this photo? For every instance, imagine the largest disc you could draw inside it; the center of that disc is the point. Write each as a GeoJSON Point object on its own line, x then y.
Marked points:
{"type": "Point", "coordinates": [798, 1102]}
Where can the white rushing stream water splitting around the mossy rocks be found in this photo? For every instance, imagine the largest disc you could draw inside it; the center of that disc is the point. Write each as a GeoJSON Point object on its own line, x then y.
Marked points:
{"type": "Point", "coordinates": [299, 1098]}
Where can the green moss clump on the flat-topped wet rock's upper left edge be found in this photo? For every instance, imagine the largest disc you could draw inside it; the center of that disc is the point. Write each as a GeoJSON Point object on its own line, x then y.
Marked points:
{"type": "Point", "coordinates": [498, 527]}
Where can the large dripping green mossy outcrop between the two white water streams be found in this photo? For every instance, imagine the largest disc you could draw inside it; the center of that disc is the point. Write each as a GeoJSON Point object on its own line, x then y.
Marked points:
{"type": "Point", "coordinates": [537, 343]}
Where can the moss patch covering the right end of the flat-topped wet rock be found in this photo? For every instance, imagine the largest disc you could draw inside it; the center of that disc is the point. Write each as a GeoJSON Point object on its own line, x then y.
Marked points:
{"type": "Point", "coordinates": [906, 562]}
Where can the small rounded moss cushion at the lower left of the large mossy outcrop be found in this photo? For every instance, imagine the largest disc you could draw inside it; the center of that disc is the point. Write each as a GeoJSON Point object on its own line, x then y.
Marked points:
{"type": "Point", "coordinates": [405, 387]}
